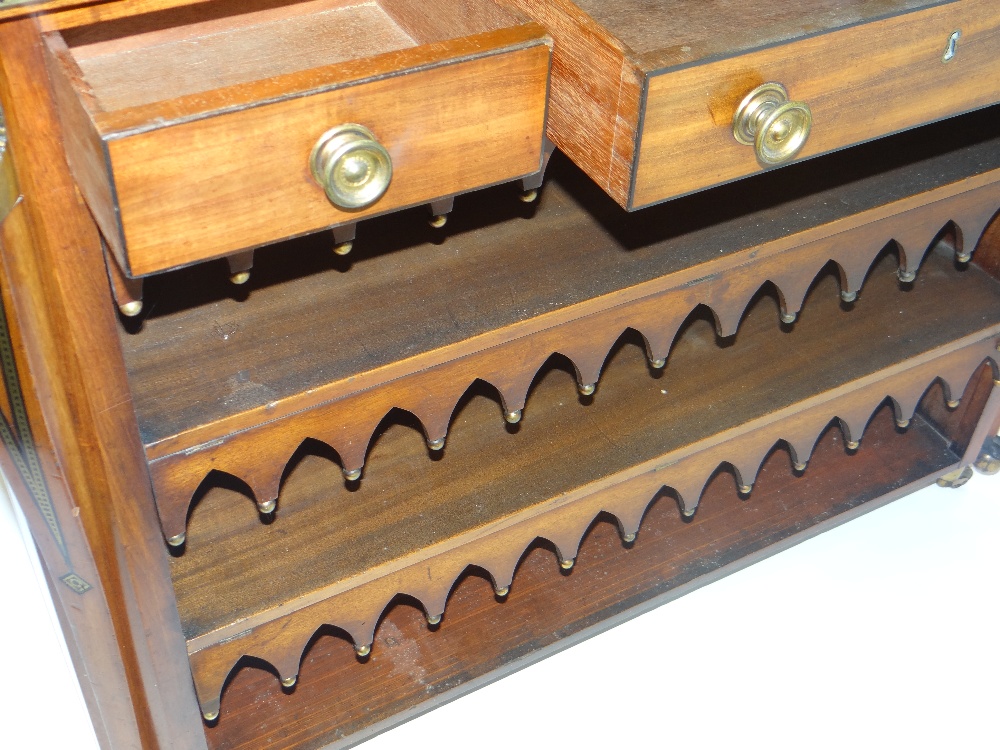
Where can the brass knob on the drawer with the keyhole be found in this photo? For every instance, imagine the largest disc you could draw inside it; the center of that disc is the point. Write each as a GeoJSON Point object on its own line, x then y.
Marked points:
{"type": "Point", "coordinates": [776, 127]}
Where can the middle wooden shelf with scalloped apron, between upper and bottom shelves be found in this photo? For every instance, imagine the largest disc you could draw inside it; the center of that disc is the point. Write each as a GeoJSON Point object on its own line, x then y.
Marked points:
{"type": "Point", "coordinates": [341, 553]}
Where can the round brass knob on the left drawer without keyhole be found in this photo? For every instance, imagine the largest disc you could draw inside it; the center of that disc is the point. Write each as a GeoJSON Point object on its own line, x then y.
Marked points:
{"type": "Point", "coordinates": [352, 167]}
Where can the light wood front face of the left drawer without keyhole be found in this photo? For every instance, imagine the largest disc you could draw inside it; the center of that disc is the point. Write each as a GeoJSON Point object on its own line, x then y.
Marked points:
{"type": "Point", "coordinates": [210, 187]}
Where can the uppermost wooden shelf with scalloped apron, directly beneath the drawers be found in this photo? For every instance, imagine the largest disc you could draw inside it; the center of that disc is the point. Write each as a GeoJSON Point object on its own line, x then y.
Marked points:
{"type": "Point", "coordinates": [325, 351]}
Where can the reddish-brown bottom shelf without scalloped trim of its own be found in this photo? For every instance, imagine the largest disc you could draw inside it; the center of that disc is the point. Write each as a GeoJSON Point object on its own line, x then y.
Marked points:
{"type": "Point", "coordinates": [411, 670]}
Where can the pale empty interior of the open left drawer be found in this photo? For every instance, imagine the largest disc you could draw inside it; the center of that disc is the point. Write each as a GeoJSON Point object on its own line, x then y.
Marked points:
{"type": "Point", "coordinates": [166, 55]}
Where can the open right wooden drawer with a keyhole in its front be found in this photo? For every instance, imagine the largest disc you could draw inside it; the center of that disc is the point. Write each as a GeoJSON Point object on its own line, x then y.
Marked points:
{"type": "Point", "coordinates": [644, 99]}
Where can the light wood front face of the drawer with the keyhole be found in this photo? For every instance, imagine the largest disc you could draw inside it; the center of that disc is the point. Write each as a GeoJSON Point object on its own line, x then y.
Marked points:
{"type": "Point", "coordinates": [860, 83]}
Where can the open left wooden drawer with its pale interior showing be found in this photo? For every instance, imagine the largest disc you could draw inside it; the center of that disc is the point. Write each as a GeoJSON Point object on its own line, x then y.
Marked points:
{"type": "Point", "coordinates": [190, 132]}
